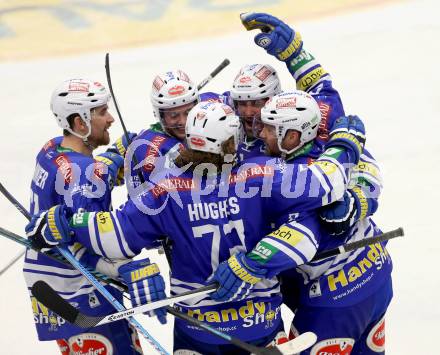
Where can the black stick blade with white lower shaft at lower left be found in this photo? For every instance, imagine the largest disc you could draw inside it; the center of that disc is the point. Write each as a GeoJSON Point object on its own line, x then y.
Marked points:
{"type": "Point", "coordinates": [85, 321]}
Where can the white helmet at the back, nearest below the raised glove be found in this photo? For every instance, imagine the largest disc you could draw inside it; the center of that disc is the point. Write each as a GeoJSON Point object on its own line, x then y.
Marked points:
{"type": "Point", "coordinates": [255, 81]}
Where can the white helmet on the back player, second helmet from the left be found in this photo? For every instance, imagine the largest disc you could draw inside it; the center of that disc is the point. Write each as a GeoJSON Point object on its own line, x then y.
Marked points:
{"type": "Point", "coordinates": [172, 89]}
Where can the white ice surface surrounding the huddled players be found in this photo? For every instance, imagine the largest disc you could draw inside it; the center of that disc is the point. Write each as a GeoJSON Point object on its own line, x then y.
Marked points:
{"type": "Point", "coordinates": [383, 61]}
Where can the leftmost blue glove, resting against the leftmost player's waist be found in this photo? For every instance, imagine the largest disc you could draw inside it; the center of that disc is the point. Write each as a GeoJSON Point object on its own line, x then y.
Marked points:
{"type": "Point", "coordinates": [49, 228]}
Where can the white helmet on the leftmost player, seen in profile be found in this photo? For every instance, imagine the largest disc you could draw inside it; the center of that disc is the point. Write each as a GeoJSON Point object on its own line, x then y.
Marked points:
{"type": "Point", "coordinates": [77, 96]}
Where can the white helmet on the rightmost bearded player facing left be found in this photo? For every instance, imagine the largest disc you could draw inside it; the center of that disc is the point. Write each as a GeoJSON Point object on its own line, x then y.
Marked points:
{"type": "Point", "coordinates": [296, 110]}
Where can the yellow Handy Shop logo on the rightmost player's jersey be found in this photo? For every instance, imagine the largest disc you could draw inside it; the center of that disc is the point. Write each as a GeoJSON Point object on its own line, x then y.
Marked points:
{"type": "Point", "coordinates": [374, 257]}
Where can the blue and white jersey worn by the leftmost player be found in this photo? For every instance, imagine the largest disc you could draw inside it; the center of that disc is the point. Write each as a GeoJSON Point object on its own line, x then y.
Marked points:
{"type": "Point", "coordinates": [66, 177]}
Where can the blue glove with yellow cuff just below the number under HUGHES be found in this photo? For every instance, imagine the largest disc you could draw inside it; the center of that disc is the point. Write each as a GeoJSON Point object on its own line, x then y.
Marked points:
{"type": "Point", "coordinates": [236, 278]}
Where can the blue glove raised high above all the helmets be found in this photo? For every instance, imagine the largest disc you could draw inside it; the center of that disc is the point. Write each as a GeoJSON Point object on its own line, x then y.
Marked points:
{"type": "Point", "coordinates": [277, 38]}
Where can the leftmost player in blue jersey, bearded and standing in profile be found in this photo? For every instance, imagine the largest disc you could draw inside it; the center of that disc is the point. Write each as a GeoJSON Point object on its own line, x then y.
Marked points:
{"type": "Point", "coordinates": [66, 173]}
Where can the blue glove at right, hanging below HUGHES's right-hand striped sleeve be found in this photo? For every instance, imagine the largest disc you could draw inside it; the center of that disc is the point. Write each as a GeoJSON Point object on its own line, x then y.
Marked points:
{"type": "Point", "coordinates": [338, 217]}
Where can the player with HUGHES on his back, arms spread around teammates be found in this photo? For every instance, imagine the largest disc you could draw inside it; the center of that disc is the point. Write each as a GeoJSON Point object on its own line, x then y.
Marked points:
{"type": "Point", "coordinates": [212, 211]}
